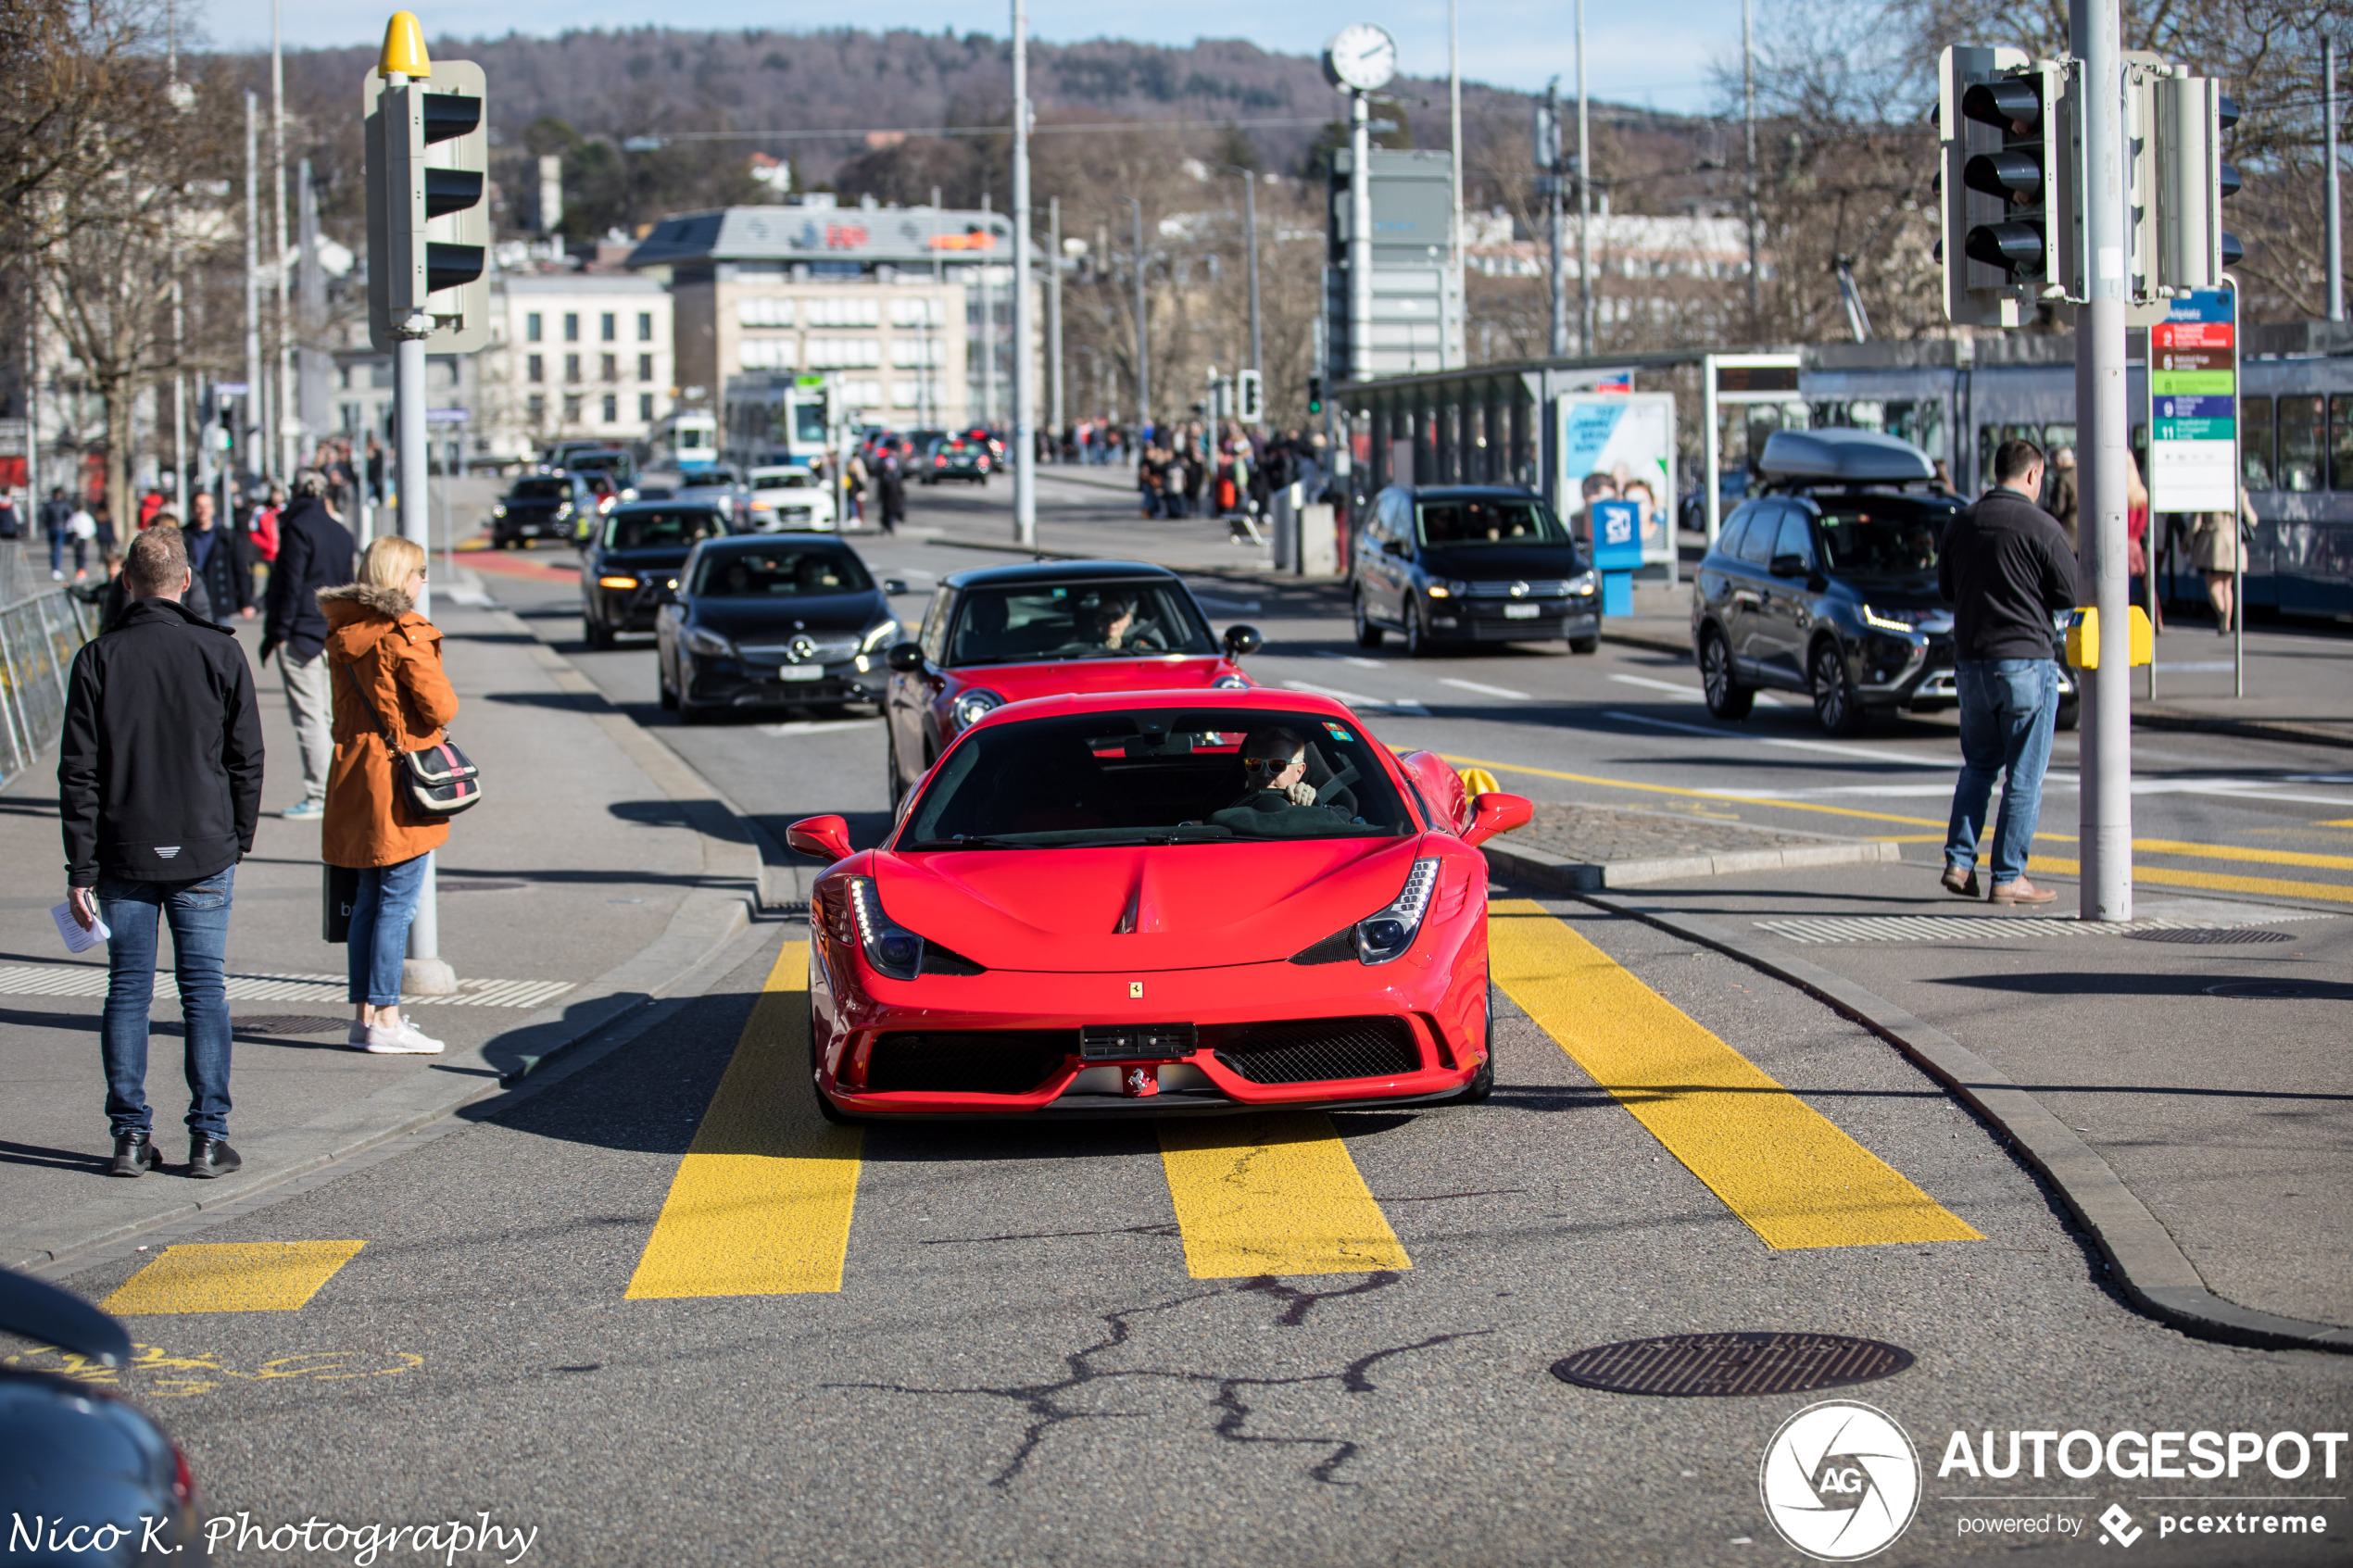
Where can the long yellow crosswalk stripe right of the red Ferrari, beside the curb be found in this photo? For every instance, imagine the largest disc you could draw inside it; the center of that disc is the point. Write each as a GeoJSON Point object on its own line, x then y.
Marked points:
{"type": "Point", "coordinates": [1778, 1162]}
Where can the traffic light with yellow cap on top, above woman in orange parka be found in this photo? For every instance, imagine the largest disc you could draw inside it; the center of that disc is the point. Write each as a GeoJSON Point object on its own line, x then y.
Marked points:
{"type": "Point", "coordinates": [427, 196]}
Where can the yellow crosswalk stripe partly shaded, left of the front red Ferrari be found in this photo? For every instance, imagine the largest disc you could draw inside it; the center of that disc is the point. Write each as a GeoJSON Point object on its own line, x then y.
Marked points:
{"type": "Point", "coordinates": [761, 1202]}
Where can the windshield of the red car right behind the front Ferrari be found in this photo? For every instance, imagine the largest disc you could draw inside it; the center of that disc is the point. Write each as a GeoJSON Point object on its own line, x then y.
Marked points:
{"type": "Point", "coordinates": [1001, 626]}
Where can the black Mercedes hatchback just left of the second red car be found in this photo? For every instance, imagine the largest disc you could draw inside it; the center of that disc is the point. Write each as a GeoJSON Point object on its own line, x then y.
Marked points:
{"type": "Point", "coordinates": [771, 619]}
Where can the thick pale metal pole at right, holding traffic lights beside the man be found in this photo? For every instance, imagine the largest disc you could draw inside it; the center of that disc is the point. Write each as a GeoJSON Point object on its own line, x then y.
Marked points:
{"type": "Point", "coordinates": [2100, 401]}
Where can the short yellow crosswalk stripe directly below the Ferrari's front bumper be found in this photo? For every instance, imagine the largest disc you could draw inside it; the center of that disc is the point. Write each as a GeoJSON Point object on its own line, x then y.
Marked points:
{"type": "Point", "coordinates": [1272, 1195]}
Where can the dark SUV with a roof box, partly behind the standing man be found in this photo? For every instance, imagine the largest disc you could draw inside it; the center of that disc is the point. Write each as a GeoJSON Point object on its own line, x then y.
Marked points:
{"type": "Point", "coordinates": [1827, 584]}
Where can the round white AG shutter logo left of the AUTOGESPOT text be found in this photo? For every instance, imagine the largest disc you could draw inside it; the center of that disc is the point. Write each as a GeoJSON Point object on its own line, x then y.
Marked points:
{"type": "Point", "coordinates": [1841, 1482]}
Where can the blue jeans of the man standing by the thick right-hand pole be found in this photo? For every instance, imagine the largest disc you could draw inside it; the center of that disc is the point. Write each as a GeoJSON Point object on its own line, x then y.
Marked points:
{"type": "Point", "coordinates": [2008, 709]}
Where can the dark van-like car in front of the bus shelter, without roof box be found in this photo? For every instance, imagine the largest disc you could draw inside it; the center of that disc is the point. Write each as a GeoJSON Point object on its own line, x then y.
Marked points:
{"type": "Point", "coordinates": [1469, 563]}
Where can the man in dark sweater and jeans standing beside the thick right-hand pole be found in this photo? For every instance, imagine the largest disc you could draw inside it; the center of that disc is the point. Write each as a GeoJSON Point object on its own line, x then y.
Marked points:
{"type": "Point", "coordinates": [2006, 568]}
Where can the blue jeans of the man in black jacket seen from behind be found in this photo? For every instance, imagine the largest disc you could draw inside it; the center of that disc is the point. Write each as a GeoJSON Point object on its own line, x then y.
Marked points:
{"type": "Point", "coordinates": [199, 913]}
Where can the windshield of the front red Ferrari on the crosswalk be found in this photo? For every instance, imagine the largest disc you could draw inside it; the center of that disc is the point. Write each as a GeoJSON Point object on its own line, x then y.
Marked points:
{"type": "Point", "coordinates": [1156, 777]}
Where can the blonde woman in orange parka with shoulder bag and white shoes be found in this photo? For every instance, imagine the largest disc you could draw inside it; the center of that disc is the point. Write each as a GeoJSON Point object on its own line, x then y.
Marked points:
{"type": "Point", "coordinates": [385, 662]}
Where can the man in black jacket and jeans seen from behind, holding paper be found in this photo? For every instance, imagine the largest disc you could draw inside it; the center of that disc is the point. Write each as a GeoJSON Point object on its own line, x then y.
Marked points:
{"type": "Point", "coordinates": [159, 782]}
